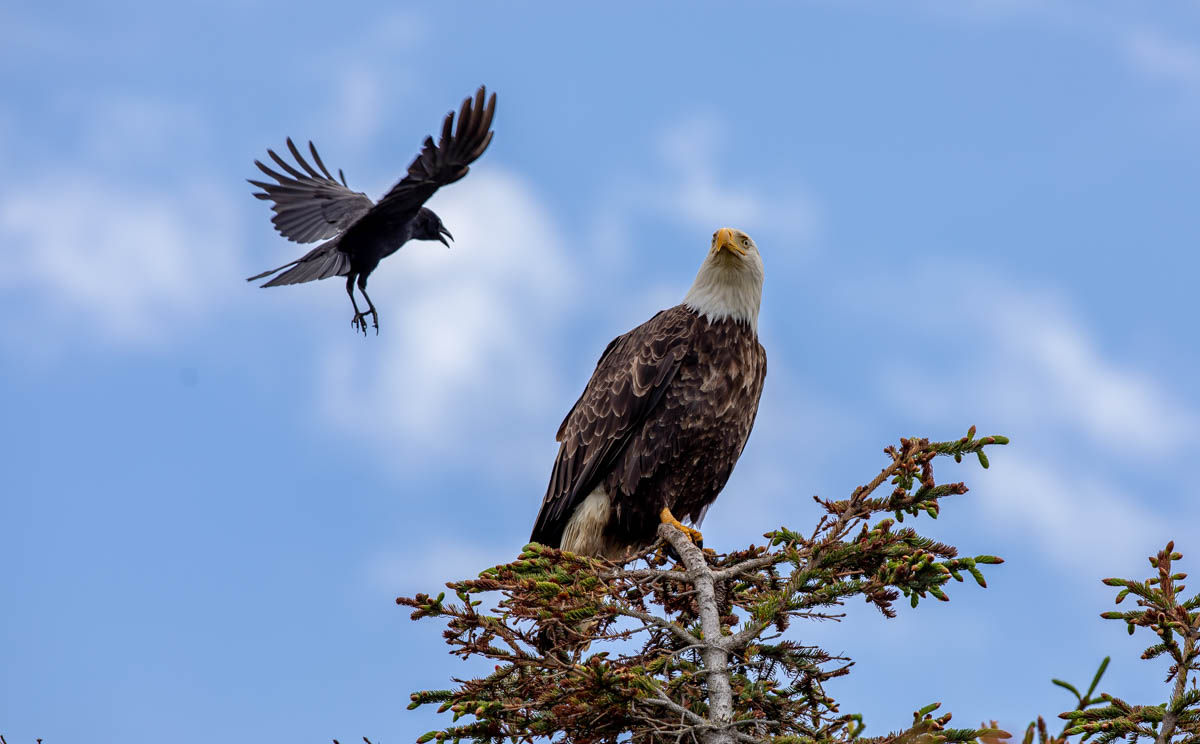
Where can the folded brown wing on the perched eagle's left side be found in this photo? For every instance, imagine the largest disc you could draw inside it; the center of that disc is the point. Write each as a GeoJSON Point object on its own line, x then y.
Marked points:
{"type": "Point", "coordinates": [629, 382]}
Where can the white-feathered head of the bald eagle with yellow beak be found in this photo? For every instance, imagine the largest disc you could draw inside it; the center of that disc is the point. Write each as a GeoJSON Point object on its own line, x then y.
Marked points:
{"type": "Point", "coordinates": [730, 281]}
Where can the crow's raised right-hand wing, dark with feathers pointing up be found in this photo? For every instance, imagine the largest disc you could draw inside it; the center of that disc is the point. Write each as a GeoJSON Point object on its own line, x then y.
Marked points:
{"type": "Point", "coordinates": [445, 163]}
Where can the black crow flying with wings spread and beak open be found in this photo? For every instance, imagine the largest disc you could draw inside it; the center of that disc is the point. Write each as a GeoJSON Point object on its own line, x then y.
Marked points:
{"type": "Point", "coordinates": [313, 206]}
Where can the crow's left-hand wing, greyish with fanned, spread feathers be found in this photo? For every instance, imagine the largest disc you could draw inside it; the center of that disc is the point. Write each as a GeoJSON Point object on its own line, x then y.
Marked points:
{"type": "Point", "coordinates": [310, 206]}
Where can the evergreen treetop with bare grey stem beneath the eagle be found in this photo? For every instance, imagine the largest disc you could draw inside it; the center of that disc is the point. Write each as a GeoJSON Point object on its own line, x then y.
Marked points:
{"type": "Point", "coordinates": [698, 674]}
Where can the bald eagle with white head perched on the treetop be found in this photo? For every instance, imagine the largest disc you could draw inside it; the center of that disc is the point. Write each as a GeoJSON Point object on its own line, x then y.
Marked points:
{"type": "Point", "coordinates": [664, 419]}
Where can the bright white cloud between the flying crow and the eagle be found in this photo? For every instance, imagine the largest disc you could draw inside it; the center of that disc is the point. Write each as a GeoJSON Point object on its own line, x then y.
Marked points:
{"type": "Point", "coordinates": [467, 335]}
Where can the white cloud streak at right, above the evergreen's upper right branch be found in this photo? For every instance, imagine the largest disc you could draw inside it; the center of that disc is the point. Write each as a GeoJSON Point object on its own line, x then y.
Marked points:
{"type": "Point", "coordinates": [1034, 362]}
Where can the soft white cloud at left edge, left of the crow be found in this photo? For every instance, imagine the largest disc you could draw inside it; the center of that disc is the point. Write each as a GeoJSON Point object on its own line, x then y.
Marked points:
{"type": "Point", "coordinates": [92, 257]}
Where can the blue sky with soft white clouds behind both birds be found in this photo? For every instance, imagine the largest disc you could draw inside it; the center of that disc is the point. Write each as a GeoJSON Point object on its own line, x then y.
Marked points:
{"type": "Point", "coordinates": [971, 213]}
